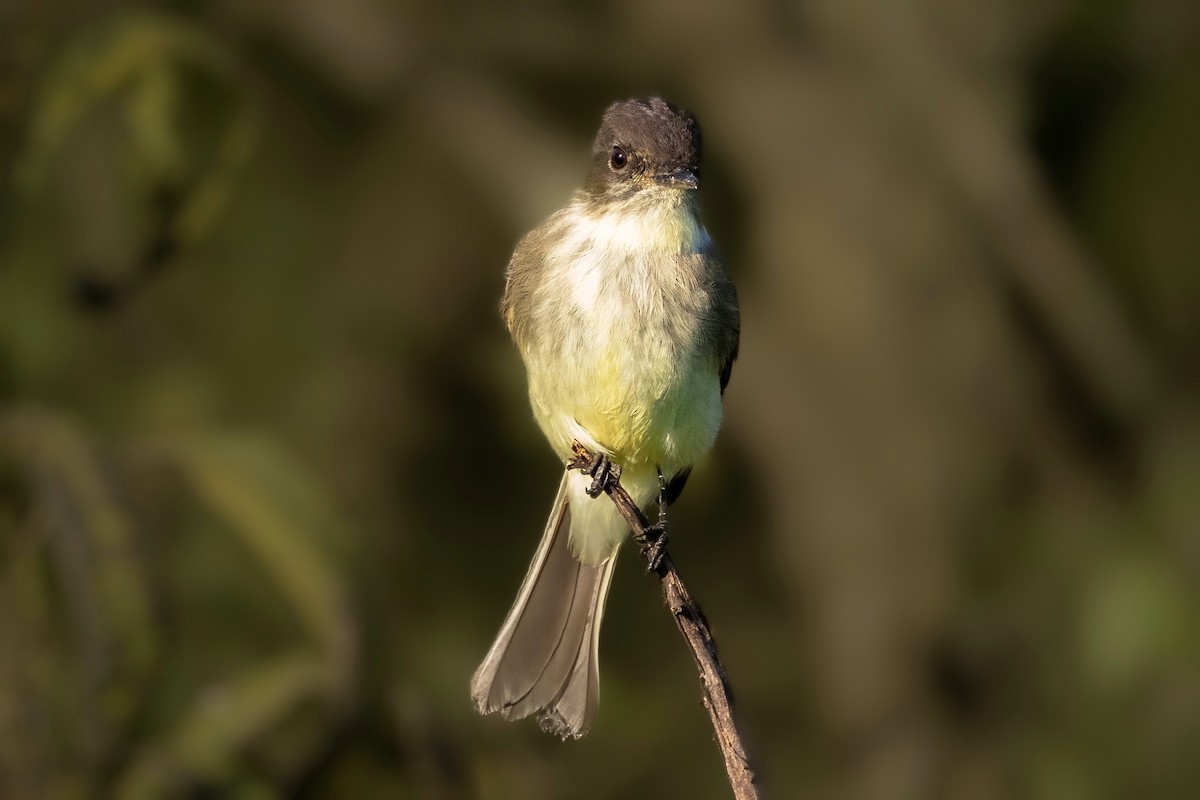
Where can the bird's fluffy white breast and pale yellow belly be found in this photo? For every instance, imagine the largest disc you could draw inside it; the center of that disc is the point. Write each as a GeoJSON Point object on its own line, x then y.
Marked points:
{"type": "Point", "coordinates": [623, 369]}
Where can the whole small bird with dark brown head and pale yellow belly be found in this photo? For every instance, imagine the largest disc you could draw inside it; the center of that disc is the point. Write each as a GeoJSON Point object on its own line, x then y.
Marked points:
{"type": "Point", "coordinates": [628, 327]}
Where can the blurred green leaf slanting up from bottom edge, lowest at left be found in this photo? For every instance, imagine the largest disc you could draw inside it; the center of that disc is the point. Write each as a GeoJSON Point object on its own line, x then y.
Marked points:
{"type": "Point", "coordinates": [225, 720]}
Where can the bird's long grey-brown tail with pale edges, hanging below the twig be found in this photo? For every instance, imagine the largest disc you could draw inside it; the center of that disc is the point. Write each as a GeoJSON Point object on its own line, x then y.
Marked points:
{"type": "Point", "coordinates": [545, 659]}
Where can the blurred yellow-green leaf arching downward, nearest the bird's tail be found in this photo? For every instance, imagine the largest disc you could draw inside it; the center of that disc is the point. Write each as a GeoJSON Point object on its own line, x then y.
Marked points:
{"type": "Point", "coordinates": [283, 516]}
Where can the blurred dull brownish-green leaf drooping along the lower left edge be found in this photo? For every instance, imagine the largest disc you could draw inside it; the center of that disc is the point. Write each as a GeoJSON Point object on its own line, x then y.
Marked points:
{"type": "Point", "coordinates": [97, 572]}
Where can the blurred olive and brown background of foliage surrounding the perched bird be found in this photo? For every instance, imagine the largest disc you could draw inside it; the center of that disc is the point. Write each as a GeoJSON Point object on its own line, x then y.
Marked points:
{"type": "Point", "coordinates": [269, 480]}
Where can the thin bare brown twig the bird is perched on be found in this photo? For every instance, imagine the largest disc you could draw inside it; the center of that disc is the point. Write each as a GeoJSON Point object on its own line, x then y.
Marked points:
{"type": "Point", "coordinates": [692, 623]}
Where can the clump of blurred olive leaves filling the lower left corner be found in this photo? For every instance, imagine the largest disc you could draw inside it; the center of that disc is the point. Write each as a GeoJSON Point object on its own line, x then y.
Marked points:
{"type": "Point", "coordinates": [80, 585]}
